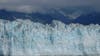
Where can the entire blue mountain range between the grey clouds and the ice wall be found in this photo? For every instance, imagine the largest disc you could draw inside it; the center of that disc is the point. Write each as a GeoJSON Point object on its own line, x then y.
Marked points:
{"type": "Point", "coordinates": [82, 15]}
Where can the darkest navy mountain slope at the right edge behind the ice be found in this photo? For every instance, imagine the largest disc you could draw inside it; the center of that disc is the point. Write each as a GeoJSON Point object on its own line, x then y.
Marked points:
{"type": "Point", "coordinates": [92, 18]}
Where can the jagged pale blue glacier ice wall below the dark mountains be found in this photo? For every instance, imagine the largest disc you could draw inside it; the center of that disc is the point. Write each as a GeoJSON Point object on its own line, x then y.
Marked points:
{"type": "Point", "coordinates": [27, 38]}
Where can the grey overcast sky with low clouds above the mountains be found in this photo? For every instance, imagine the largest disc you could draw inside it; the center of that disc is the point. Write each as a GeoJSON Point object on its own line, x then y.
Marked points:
{"type": "Point", "coordinates": [34, 5]}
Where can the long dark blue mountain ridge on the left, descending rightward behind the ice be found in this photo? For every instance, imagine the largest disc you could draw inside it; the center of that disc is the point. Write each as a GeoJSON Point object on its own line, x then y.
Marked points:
{"type": "Point", "coordinates": [36, 17]}
